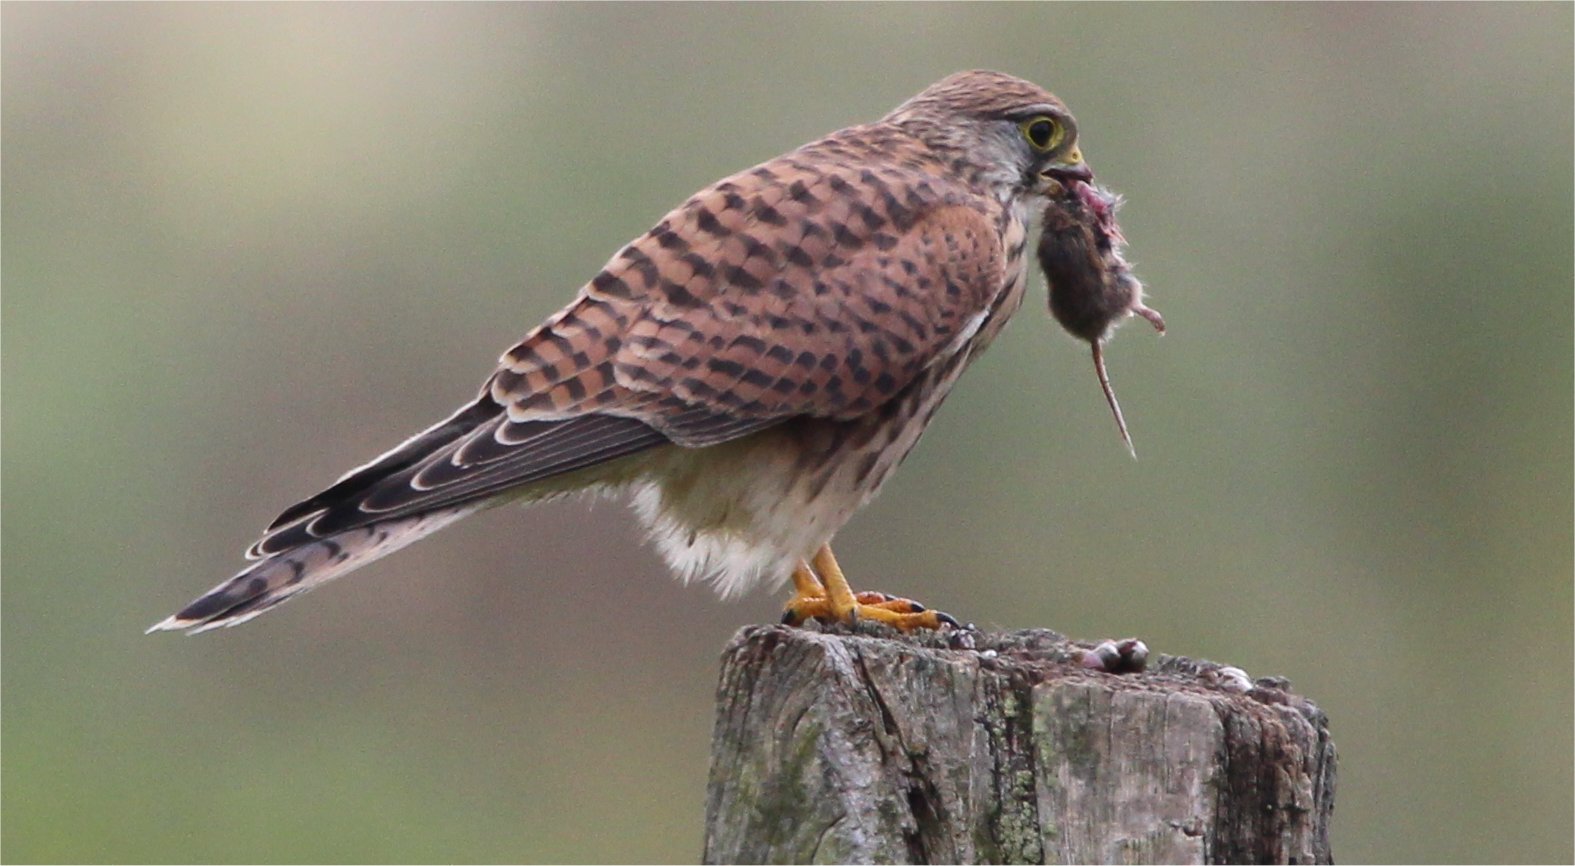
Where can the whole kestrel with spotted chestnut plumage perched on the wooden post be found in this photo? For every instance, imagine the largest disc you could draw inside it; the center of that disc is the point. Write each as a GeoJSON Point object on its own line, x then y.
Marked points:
{"type": "Point", "coordinates": [750, 371]}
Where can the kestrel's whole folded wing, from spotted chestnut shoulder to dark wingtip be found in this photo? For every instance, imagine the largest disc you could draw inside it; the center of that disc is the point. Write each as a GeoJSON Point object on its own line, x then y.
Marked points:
{"type": "Point", "coordinates": [777, 294]}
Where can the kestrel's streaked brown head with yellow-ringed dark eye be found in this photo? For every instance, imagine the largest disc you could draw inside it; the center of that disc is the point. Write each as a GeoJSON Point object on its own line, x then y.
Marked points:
{"type": "Point", "coordinates": [1010, 136]}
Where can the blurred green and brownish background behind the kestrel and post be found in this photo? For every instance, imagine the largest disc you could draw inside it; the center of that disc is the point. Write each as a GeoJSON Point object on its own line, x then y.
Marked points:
{"type": "Point", "coordinates": [248, 248]}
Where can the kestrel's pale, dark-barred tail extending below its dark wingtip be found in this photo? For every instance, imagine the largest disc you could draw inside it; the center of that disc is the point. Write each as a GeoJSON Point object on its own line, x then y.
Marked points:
{"type": "Point", "coordinates": [289, 574]}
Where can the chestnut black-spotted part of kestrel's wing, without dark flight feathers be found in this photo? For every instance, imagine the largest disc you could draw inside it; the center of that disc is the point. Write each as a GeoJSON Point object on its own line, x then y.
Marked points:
{"type": "Point", "coordinates": [782, 292]}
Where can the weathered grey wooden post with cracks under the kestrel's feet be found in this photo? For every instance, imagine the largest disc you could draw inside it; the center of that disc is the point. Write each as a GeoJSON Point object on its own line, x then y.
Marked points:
{"type": "Point", "coordinates": [876, 749]}
